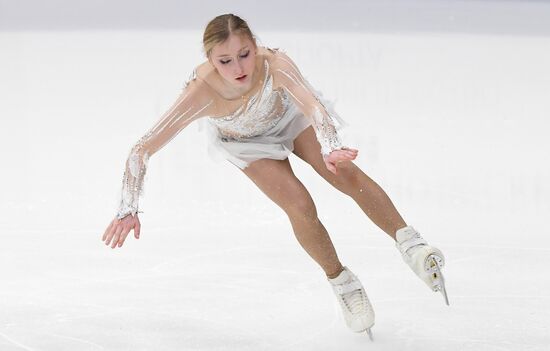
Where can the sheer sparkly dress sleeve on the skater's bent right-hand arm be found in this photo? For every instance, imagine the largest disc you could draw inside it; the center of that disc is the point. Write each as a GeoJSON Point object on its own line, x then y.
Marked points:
{"type": "Point", "coordinates": [325, 121]}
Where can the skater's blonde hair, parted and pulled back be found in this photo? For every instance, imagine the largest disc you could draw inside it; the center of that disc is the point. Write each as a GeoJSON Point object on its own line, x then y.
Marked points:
{"type": "Point", "coordinates": [220, 28]}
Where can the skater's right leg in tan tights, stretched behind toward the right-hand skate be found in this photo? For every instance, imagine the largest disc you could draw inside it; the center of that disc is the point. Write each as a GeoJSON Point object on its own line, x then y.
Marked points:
{"type": "Point", "coordinates": [351, 180]}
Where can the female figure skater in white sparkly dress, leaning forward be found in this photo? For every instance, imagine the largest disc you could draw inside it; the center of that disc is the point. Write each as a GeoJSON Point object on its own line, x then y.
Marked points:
{"type": "Point", "coordinates": [262, 110]}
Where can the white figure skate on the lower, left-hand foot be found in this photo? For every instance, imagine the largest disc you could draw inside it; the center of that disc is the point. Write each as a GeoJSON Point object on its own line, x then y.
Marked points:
{"type": "Point", "coordinates": [353, 299]}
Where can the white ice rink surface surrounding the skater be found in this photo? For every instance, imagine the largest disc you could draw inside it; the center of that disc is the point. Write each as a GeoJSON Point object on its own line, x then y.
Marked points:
{"type": "Point", "coordinates": [453, 125]}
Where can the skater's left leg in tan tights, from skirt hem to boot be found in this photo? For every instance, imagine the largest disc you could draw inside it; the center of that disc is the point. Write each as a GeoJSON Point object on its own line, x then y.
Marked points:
{"type": "Point", "coordinates": [277, 180]}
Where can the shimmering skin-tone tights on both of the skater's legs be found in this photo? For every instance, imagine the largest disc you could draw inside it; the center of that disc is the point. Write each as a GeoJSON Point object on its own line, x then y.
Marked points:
{"type": "Point", "coordinates": [277, 180]}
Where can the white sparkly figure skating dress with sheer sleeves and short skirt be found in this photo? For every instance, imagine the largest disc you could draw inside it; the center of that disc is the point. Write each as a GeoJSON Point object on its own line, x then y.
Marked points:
{"type": "Point", "coordinates": [263, 124]}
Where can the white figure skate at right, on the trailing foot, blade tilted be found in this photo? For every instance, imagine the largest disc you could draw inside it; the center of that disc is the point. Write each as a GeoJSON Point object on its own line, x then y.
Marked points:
{"type": "Point", "coordinates": [425, 260]}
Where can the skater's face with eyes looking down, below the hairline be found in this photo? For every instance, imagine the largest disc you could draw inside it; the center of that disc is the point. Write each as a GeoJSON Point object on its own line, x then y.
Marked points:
{"type": "Point", "coordinates": [235, 61]}
